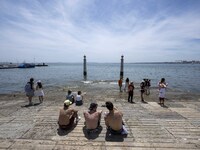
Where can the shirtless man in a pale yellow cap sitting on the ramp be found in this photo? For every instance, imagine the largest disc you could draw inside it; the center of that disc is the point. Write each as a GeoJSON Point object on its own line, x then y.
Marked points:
{"type": "Point", "coordinates": [67, 116]}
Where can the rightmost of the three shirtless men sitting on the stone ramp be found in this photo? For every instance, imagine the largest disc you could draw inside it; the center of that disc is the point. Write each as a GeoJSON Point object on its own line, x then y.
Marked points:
{"type": "Point", "coordinates": [113, 120]}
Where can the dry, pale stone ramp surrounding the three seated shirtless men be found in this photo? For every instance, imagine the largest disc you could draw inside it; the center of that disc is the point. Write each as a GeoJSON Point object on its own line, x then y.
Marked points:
{"type": "Point", "coordinates": [150, 127]}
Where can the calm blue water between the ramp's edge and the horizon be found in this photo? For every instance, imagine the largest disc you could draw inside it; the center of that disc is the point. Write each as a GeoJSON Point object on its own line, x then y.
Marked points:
{"type": "Point", "coordinates": [182, 77]}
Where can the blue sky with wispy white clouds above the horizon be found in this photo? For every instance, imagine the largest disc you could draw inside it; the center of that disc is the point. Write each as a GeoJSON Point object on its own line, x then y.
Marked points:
{"type": "Point", "coordinates": [103, 30]}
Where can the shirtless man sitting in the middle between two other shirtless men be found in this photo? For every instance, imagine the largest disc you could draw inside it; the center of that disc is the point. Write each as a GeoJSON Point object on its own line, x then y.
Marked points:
{"type": "Point", "coordinates": [92, 118]}
